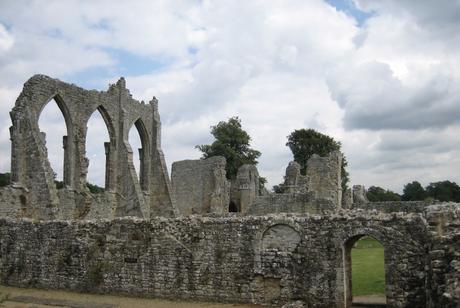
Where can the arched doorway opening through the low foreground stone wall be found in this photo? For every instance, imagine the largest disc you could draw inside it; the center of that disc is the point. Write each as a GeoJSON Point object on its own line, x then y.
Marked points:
{"type": "Point", "coordinates": [365, 271]}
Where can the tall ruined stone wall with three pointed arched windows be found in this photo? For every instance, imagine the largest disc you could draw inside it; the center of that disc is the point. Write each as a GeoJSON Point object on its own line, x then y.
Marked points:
{"type": "Point", "coordinates": [31, 169]}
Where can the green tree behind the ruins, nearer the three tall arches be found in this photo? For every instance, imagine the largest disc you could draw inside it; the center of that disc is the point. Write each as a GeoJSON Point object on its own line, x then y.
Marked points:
{"type": "Point", "coordinates": [231, 142]}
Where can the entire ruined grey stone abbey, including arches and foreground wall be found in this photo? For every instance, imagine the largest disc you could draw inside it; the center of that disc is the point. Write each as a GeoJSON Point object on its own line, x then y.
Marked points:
{"type": "Point", "coordinates": [196, 235]}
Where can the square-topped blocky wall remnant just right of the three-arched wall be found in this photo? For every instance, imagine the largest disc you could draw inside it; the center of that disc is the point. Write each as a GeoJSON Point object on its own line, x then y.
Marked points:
{"type": "Point", "coordinates": [200, 186]}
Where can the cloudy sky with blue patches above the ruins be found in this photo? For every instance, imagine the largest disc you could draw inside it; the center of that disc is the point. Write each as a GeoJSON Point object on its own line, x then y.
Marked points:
{"type": "Point", "coordinates": [382, 77]}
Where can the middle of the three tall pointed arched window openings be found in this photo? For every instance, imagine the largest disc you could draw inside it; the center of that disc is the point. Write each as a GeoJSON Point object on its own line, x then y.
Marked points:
{"type": "Point", "coordinates": [97, 140]}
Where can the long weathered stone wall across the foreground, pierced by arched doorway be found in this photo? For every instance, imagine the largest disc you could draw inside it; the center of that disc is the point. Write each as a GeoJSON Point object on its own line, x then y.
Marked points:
{"type": "Point", "coordinates": [263, 259]}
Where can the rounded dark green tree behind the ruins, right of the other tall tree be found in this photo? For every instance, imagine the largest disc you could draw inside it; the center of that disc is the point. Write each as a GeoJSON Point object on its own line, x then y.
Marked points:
{"type": "Point", "coordinates": [306, 142]}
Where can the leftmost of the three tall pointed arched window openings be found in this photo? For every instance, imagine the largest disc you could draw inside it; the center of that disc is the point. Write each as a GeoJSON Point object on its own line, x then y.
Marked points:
{"type": "Point", "coordinates": [53, 127]}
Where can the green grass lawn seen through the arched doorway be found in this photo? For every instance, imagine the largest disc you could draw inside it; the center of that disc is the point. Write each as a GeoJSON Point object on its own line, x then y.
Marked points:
{"type": "Point", "coordinates": [368, 276]}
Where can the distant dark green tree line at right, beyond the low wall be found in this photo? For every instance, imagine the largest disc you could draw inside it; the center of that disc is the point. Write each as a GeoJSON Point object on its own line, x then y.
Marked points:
{"type": "Point", "coordinates": [414, 191]}
